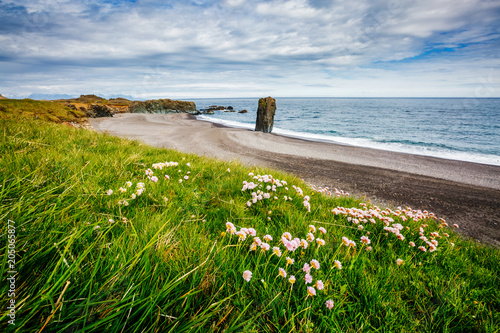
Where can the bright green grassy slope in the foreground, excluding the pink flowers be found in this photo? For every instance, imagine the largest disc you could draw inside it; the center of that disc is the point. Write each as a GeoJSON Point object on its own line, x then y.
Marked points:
{"type": "Point", "coordinates": [168, 264]}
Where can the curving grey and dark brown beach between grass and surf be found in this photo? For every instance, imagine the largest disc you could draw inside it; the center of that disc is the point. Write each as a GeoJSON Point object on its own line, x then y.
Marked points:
{"type": "Point", "coordinates": [461, 192]}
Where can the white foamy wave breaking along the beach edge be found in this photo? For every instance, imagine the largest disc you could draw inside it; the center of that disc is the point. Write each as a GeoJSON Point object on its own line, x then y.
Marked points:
{"type": "Point", "coordinates": [403, 146]}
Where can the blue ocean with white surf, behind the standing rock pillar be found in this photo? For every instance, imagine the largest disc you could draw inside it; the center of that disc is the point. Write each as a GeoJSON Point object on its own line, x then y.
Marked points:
{"type": "Point", "coordinates": [466, 129]}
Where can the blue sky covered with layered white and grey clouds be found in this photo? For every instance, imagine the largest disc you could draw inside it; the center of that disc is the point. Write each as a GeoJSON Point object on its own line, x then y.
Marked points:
{"type": "Point", "coordinates": [149, 49]}
